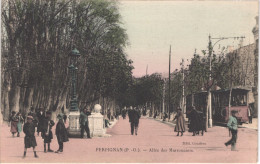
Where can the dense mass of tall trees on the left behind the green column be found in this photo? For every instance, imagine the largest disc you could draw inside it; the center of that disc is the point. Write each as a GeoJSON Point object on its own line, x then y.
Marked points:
{"type": "Point", "coordinates": [37, 37]}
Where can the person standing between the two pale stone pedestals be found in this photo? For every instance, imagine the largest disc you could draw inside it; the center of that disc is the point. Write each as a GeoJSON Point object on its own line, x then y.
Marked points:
{"type": "Point", "coordinates": [84, 124]}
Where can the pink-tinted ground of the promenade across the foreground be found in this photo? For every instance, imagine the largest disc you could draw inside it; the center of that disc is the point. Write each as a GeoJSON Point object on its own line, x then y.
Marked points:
{"type": "Point", "coordinates": [155, 142]}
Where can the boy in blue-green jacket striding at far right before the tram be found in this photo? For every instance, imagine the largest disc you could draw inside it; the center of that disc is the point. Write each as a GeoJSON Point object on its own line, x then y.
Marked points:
{"type": "Point", "coordinates": [232, 126]}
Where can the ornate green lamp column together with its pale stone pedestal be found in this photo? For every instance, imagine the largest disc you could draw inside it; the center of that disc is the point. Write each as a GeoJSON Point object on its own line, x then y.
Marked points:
{"type": "Point", "coordinates": [74, 127]}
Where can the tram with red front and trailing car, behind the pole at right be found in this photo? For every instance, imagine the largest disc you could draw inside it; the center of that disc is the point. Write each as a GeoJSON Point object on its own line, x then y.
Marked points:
{"type": "Point", "coordinates": [220, 103]}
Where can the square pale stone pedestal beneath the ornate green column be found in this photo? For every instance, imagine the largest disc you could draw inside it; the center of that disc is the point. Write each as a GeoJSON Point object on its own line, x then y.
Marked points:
{"type": "Point", "coordinates": [74, 126]}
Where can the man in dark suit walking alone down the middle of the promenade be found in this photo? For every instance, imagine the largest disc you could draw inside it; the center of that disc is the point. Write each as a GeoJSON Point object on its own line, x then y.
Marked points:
{"type": "Point", "coordinates": [134, 116]}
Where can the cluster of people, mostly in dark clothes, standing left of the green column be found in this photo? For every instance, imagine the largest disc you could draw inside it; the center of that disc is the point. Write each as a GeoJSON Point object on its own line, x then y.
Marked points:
{"type": "Point", "coordinates": [42, 120]}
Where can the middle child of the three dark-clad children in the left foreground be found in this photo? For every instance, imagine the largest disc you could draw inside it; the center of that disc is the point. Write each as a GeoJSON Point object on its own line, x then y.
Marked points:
{"type": "Point", "coordinates": [47, 131]}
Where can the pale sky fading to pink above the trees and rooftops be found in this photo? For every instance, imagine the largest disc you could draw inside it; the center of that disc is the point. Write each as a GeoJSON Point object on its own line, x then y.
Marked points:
{"type": "Point", "coordinates": [152, 26]}
